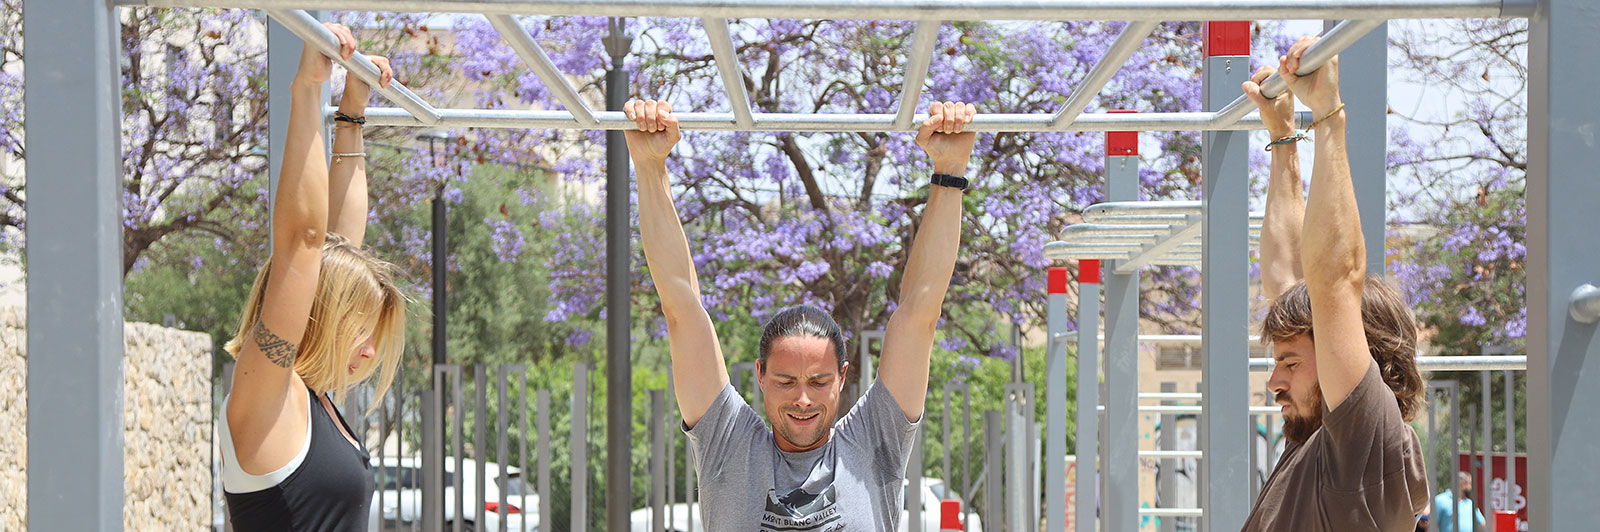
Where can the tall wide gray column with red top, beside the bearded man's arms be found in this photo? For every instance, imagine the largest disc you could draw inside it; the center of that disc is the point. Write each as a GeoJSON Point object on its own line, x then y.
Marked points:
{"type": "Point", "coordinates": [1225, 288]}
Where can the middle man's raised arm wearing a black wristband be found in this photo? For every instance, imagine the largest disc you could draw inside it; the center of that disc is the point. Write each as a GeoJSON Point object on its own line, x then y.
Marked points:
{"type": "Point", "coordinates": [908, 341]}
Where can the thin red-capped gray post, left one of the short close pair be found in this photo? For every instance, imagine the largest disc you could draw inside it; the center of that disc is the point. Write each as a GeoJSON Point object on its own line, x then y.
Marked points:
{"type": "Point", "coordinates": [1055, 401]}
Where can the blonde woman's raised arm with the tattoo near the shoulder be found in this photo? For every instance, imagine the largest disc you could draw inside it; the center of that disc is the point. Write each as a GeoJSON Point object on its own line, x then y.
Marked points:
{"type": "Point", "coordinates": [265, 377]}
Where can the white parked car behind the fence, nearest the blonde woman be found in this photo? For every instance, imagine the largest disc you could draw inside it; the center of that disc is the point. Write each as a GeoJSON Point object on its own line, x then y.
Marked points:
{"type": "Point", "coordinates": [402, 498]}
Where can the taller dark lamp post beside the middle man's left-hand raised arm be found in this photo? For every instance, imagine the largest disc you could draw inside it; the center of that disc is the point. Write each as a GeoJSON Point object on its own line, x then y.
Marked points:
{"type": "Point", "coordinates": [618, 280]}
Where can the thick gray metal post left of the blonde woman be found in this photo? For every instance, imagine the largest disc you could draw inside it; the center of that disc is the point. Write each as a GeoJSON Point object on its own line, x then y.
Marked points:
{"type": "Point", "coordinates": [74, 267]}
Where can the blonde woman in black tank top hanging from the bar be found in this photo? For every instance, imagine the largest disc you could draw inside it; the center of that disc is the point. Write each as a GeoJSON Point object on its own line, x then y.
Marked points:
{"type": "Point", "coordinates": [322, 316]}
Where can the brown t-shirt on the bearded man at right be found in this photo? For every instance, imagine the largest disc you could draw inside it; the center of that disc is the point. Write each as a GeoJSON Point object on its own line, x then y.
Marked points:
{"type": "Point", "coordinates": [1361, 472]}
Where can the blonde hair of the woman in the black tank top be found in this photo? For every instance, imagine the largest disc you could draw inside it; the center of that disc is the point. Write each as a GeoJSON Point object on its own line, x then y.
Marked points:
{"type": "Point", "coordinates": [356, 300]}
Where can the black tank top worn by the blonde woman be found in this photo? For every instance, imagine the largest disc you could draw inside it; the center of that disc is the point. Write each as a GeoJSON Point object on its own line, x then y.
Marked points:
{"type": "Point", "coordinates": [329, 493]}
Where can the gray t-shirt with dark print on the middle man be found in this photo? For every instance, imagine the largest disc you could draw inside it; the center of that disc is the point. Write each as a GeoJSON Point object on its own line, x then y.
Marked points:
{"type": "Point", "coordinates": [852, 483]}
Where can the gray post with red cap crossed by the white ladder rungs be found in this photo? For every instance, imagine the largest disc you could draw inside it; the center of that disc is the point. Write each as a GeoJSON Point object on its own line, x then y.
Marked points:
{"type": "Point", "coordinates": [1121, 469]}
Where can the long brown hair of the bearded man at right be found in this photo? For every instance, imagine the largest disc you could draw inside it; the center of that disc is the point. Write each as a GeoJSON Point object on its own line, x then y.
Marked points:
{"type": "Point", "coordinates": [1391, 336]}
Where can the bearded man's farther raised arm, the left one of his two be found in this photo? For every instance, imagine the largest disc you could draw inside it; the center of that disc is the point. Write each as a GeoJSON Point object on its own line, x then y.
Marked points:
{"type": "Point", "coordinates": [1281, 232]}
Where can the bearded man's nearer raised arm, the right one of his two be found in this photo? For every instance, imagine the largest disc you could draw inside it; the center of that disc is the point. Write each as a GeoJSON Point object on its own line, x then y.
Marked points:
{"type": "Point", "coordinates": [1332, 249]}
